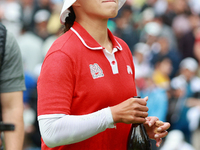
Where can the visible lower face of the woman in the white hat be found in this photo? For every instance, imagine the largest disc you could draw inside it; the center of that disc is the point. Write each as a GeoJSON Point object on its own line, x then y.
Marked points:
{"type": "Point", "coordinates": [103, 9]}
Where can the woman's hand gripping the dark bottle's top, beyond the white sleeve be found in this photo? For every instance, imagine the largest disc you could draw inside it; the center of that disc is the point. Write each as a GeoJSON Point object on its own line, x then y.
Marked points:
{"type": "Point", "coordinates": [132, 110]}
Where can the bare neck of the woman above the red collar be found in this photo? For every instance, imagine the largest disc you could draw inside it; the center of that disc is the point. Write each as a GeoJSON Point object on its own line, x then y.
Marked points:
{"type": "Point", "coordinates": [98, 30]}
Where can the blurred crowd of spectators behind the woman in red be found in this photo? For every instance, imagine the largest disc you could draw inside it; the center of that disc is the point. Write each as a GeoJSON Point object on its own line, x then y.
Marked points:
{"type": "Point", "coordinates": [164, 38]}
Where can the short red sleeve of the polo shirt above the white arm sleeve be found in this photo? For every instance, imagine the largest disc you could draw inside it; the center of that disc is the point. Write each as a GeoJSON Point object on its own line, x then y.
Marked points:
{"type": "Point", "coordinates": [56, 84]}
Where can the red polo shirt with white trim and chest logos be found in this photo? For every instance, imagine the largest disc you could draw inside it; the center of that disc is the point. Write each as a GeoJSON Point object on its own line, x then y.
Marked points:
{"type": "Point", "coordinates": [79, 77]}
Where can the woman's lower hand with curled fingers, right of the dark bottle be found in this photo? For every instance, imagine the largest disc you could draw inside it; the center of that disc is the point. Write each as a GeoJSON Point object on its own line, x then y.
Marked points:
{"type": "Point", "coordinates": [154, 131]}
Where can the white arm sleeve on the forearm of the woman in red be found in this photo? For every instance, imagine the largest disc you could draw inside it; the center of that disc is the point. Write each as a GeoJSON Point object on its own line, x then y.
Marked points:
{"type": "Point", "coordinates": [61, 129]}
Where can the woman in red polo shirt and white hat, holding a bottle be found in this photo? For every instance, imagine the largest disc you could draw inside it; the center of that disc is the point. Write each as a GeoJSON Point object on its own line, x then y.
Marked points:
{"type": "Point", "coordinates": [86, 84]}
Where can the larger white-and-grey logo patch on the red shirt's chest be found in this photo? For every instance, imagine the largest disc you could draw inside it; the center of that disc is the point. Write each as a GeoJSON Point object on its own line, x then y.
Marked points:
{"type": "Point", "coordinates": [96, 71]}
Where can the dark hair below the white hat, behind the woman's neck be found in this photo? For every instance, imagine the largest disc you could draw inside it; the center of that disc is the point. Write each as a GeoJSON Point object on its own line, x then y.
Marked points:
{"type": "Point", "coordinates": [69, 21]}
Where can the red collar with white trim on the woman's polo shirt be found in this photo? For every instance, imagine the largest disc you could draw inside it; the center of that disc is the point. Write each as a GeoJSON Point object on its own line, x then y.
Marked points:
{"type": "Point", "coordinates": [89, 41]}
